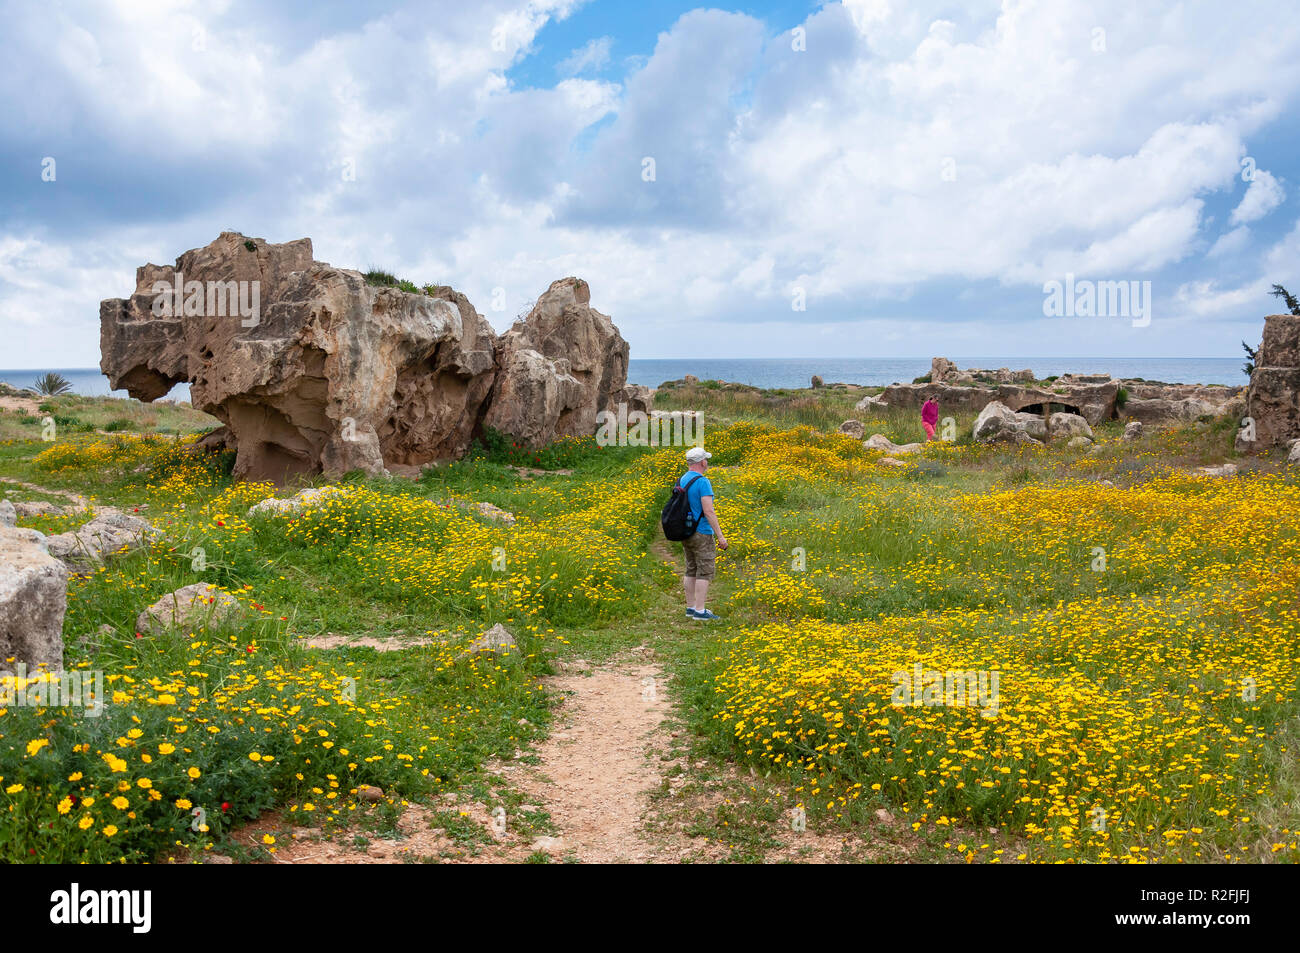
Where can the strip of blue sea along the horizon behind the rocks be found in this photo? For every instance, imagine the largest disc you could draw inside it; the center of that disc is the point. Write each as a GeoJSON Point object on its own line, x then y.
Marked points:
{"type": "Point", "coordinates": [786, 372]}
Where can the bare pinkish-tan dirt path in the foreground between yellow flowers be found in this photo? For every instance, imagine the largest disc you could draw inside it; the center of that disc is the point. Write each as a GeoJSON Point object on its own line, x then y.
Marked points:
{"type": "Point", "coordinates": [603, 760]}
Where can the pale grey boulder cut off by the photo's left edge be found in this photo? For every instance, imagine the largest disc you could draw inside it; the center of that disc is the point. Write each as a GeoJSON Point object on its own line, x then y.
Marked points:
{"type": "Point", "coordinates": [33, 600]}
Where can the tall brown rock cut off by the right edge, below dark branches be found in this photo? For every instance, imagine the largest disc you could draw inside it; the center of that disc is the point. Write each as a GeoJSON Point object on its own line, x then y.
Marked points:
{"type": "Point", "coordinates": [1273, 398]}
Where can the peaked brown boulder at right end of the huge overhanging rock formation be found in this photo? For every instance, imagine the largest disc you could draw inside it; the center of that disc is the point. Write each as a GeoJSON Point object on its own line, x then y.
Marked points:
{"type": "Point", "coordinates": [557, 369]}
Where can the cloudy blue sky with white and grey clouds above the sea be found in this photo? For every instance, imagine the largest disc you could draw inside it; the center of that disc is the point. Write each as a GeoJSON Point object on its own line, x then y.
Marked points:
{"type": "Point", "coordinates": [870, 179]}
